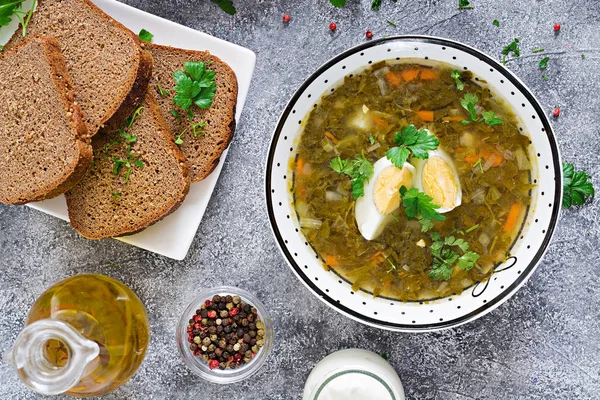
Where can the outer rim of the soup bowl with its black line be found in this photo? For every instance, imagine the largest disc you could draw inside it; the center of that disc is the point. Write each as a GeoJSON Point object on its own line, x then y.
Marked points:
{"type": "Point", "coordinates": [527, 271]}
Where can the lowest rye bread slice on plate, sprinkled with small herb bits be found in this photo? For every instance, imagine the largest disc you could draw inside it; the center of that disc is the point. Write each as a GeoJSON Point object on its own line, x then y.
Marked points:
{"type": "Point", "coordinates": [106, 205]}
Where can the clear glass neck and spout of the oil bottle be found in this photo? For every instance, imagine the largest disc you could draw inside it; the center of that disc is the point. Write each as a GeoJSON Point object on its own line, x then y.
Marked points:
{"type": "Point", "coordinates": [50, 356]}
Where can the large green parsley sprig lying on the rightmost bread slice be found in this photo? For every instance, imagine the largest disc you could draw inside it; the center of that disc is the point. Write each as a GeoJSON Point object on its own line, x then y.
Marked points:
{"type": "Point", "coordinates": [195, 85]}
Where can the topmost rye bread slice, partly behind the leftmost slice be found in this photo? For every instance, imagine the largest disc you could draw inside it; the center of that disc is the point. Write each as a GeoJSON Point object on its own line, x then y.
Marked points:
{"type": "Point", "coordinates": [109, 69]}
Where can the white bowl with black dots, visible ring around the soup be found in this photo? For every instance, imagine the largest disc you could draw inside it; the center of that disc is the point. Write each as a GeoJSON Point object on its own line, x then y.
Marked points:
{"type": "Point", "coordinates": [475, 301]}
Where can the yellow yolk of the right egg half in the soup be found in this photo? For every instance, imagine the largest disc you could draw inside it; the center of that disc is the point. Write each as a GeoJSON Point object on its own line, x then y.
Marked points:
{"type": "Point", "coordinates": [439, 182]}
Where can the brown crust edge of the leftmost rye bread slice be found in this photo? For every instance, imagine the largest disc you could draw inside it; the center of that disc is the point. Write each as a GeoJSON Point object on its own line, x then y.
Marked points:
{"type": "Point", "coordinates": [64, 86]}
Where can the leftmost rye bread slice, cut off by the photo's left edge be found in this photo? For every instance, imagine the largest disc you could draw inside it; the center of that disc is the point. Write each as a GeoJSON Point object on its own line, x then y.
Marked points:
{"type": "Point", "coordinates": [44, 145]}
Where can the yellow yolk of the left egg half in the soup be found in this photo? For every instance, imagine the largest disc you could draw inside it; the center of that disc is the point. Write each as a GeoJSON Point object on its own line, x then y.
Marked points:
{"type": "Point", "coordinates": [386, 191]}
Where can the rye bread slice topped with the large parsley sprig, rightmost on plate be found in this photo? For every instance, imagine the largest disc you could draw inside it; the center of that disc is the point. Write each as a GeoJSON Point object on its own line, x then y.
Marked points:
{"type": "Point", "coordinates": [203, 151]}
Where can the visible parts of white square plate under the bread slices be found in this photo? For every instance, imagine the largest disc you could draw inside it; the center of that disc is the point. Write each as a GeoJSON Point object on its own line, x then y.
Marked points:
{"type": "Point", "coordinates": [173, 235]}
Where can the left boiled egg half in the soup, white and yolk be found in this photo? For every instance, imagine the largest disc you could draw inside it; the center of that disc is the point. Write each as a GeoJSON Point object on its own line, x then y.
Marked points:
{"type": "Point", "coordinates": [373, 211]}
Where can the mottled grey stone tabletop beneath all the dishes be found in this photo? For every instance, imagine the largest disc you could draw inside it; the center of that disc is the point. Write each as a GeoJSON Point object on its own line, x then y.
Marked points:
{"type": "Point", "coordinates": [542, 344]}
